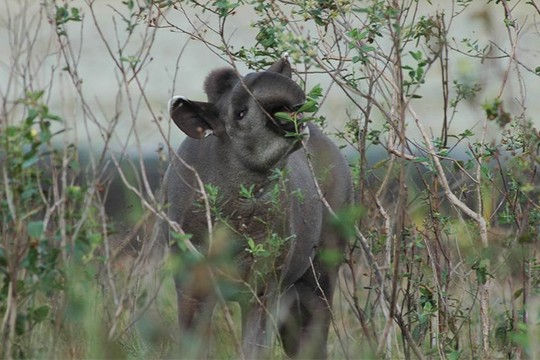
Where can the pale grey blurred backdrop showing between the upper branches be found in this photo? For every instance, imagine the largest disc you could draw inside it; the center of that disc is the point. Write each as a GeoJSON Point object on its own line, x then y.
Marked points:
{"type": "Point", "coordinates": [178, 63]}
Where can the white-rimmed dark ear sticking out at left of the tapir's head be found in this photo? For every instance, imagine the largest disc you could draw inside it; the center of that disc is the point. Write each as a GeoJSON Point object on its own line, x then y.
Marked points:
{"type": "Point", "coordinates": [196, 119]}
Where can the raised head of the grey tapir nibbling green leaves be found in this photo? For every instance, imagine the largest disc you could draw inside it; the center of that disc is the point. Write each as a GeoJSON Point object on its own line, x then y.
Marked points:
{"type": "Point", "coordinates": [241, 111]}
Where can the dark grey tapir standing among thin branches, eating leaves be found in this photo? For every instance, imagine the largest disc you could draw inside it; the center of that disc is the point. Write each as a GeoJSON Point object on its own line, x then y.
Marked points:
{"type": "Point", "coordinates": [227, 149]}
